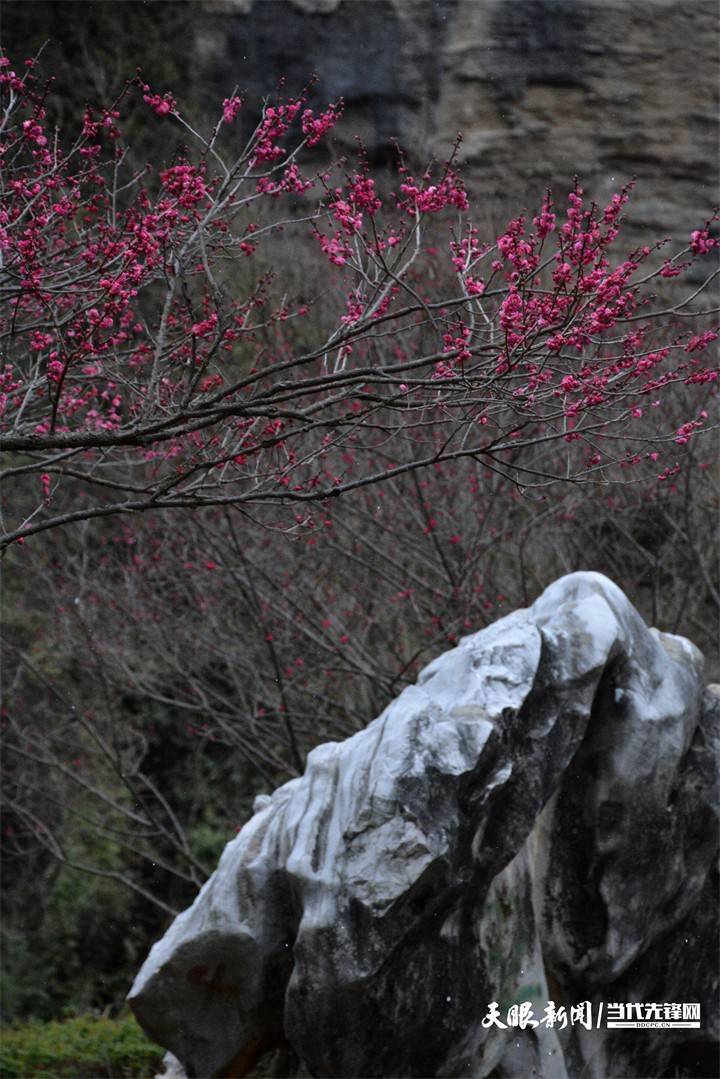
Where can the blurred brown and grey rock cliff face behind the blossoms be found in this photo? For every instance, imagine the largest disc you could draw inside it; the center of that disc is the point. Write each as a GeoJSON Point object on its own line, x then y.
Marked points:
{"type": "Point", "coordinates": [541, 89]}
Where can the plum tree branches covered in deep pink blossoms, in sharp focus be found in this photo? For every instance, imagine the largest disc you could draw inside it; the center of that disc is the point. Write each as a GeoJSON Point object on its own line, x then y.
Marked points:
{"type": "Point", "coordinates": [155, 357]}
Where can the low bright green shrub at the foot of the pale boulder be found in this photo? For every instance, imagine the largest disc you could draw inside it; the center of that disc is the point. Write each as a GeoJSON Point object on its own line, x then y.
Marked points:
{"type": "Point", "coordinates": [83, 1047]}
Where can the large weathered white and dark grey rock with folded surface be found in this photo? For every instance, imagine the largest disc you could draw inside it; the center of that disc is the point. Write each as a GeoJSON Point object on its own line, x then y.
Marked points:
{"type": "Point", "coordinates": [535, 821]}
